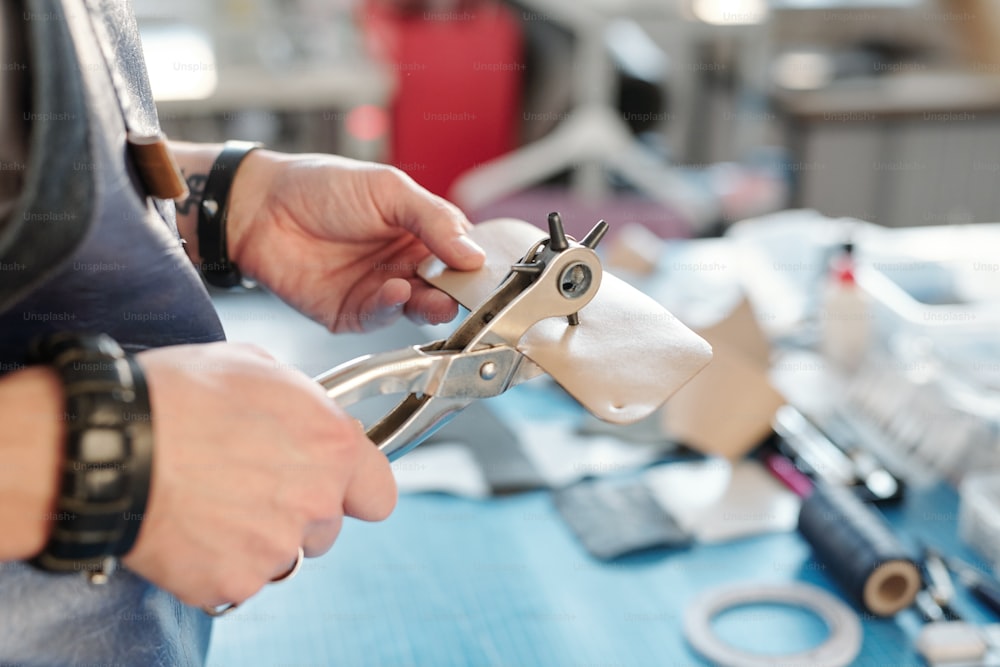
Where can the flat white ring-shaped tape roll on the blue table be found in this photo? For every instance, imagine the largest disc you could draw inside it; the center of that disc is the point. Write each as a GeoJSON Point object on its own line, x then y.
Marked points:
{"type": "Point", "coordinates": [840, 648]}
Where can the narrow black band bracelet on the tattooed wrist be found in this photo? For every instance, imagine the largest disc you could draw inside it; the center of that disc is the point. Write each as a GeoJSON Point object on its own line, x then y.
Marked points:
{"type": "Point", "coordinates": [213, 212]}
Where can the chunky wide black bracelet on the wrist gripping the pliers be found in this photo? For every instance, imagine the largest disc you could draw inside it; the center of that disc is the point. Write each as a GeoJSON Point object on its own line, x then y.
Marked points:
{"type": "Point", "coordinates": [107, 466]}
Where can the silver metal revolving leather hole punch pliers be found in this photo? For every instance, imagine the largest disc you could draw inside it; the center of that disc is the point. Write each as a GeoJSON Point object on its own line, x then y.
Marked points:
{"type": "Point", "coordinates": [557, 277]}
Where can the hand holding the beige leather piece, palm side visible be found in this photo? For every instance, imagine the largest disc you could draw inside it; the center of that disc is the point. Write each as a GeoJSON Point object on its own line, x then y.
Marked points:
{"type": "Point", "coordinates": [341, 239]}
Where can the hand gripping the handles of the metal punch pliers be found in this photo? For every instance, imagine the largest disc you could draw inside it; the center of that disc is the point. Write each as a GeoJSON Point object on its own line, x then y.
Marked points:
{"type": "Point", "coordinates": [251, 460]}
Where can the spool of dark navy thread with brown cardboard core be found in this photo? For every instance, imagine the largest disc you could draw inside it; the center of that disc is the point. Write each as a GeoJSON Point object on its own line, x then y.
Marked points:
{"type": "Point", "coordinates": [859, 550]}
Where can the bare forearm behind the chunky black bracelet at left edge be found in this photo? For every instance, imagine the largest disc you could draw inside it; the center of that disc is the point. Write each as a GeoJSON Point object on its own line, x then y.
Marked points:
{"type": "Point", "coordinates": [31, 433]}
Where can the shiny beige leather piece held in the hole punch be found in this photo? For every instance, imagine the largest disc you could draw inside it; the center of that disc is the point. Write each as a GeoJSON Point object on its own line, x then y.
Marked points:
{"type": "Point", "coordinates": [624, 359]}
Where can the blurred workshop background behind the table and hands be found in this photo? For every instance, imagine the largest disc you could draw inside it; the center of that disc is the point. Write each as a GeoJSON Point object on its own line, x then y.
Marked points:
{"type": "Point", "coordinates": [681, 115]}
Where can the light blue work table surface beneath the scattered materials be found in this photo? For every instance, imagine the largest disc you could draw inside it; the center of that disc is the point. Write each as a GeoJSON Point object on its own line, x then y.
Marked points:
{"type": "Point", "coordinates": [502, 581]}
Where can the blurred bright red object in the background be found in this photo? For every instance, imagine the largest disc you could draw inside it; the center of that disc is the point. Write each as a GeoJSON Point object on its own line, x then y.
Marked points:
{"type": "Point", "coordinates": [458, 84]}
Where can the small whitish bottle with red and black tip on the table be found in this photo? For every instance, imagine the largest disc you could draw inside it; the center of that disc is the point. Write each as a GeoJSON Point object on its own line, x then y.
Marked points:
{"type": "Point", "coordinates": [845, 317]}
